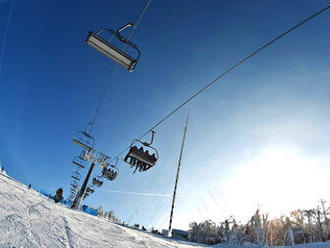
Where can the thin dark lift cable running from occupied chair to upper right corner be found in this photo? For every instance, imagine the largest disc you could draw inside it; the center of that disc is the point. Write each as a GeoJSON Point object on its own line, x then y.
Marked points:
{"type": "Point", "coordinates": [227, 72]}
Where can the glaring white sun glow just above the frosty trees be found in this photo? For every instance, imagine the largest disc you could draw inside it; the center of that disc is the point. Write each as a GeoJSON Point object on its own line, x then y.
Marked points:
{"type": "Point", "coordinates": [278, 181]}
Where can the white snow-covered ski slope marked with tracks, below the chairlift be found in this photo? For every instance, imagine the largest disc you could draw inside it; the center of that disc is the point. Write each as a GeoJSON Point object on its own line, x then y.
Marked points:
{"type": "Point", "coordinates": [28, 219]}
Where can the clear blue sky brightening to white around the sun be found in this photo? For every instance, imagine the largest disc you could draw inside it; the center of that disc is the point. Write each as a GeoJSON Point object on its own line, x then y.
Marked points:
{"type": "Point", "coordinates": [273, 108]}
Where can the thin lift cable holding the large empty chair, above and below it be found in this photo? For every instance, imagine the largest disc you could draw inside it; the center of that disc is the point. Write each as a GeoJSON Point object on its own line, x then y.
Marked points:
{"type": "Point", "coordinates": [106, 86]}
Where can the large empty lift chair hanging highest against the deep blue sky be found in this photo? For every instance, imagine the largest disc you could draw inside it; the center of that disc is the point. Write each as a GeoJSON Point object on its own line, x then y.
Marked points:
{"type": "Point", "coordinates": [119, 56]}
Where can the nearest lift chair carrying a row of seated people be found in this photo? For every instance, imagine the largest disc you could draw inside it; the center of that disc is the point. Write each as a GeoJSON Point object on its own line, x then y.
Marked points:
{"type": "Point", "coordinates": [141, 158]}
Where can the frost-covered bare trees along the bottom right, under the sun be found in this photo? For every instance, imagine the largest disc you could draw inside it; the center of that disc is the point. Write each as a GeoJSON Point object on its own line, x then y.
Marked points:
{"type": "Point", "coordinates": [299, 227]}
